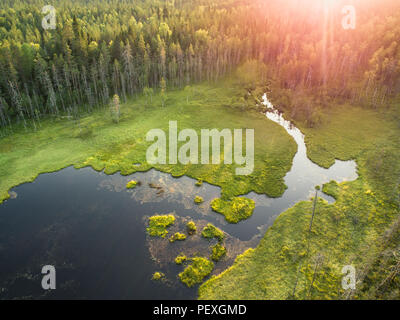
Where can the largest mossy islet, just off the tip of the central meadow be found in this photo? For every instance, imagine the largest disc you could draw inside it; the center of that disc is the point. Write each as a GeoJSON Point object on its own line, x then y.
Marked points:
{"type": "Point", "coordinates": [234, 210]}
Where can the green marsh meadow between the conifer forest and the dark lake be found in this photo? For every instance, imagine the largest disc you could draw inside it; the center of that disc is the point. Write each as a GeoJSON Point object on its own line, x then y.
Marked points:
{"type": "Point", "coordinates": [118, 147]}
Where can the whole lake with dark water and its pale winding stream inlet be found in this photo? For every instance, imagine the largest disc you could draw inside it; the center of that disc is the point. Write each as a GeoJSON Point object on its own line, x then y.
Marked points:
{"type": "Point", "coordinates": [93, 230]}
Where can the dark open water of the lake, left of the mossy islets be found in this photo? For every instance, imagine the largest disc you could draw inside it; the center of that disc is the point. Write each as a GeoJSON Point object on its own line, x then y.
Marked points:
{"type": "Point", "coordinates": [95, 239]}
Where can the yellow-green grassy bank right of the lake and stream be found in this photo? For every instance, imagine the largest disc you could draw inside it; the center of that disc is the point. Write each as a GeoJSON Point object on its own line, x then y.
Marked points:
{"type": "Point", "coordinates": [343, 233]}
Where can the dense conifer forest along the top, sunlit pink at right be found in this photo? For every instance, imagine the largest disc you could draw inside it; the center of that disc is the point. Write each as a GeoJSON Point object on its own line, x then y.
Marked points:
{"type": "Point", "coordinates": [104, 48]}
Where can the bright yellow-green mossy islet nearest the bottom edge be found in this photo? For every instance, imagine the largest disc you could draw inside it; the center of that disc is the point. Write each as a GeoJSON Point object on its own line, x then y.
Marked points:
{"type": "Point", "coordinates": [196, 271]}
